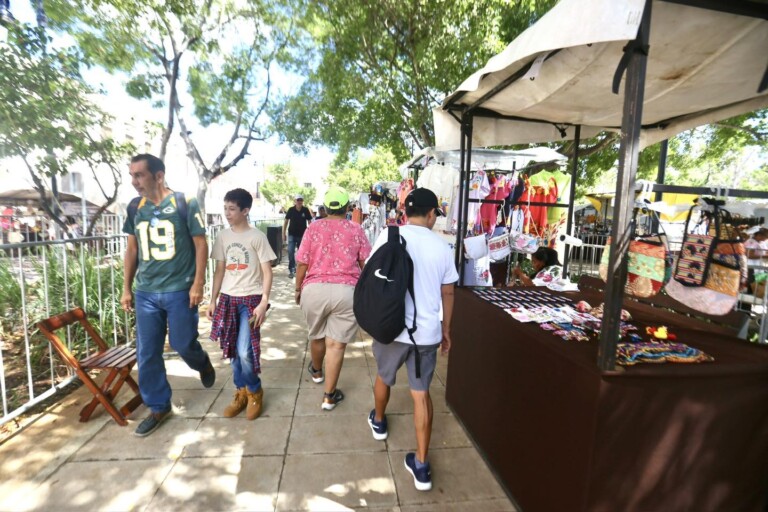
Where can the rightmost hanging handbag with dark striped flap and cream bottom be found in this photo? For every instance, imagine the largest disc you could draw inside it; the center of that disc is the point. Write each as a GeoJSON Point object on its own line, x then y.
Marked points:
{"type": "Point", "coordinates": [721, 271]}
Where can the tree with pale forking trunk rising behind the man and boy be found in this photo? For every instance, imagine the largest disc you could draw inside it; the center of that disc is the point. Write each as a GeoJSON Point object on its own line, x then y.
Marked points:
{"type": "Point", "coordinates": [222, 51]}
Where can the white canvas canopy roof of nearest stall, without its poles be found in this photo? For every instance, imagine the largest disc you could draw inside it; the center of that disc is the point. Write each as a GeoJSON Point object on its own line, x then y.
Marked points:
{"type": "Point", "coordinates": [703, 66]}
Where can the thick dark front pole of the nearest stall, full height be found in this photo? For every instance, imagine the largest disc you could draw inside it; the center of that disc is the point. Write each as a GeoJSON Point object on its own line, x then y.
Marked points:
{"type": "Point", "coordinates": [625, 185]}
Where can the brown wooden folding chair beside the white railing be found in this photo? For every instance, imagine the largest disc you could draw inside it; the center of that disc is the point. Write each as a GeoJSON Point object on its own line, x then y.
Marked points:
{"type": "Point", "coordinates": [117, 360]}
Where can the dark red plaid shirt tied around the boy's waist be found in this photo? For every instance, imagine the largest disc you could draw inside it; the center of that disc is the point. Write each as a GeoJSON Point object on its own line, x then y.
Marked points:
{"type": "Point", "coordinates": [225, 325]}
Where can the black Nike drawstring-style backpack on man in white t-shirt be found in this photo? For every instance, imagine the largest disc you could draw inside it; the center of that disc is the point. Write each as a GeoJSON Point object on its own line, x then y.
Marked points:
{"type": "Point", "coordinates": [379, 301]}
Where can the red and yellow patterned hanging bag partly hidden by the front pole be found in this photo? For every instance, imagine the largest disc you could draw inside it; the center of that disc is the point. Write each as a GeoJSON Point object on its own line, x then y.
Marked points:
{"type": "Point", "coordinates": [647, 264]}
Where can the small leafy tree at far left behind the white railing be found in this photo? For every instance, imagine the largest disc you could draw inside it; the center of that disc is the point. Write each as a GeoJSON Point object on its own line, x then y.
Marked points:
{"type": "Point", "coordinates": [48, 119]}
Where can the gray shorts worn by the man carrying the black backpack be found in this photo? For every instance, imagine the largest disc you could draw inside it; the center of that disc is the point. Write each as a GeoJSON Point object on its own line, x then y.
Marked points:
{"type": "Point", "coordinates": [389, 359]}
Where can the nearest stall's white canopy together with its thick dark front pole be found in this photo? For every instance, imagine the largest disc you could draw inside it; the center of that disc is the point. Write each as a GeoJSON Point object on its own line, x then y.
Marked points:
{"type": "Point", "coordinates": [687, 63]}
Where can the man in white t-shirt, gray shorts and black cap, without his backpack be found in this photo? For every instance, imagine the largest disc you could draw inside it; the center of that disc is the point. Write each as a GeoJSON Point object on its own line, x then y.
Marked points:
{"type": "Point", "coordinates": [434, 276]}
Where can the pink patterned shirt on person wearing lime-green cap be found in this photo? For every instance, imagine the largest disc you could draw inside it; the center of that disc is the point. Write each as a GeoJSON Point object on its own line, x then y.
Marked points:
{"type": "Point", "coordinates": [332, 248]}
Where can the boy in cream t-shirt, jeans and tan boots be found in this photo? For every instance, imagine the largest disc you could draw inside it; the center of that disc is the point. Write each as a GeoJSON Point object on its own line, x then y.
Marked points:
{"type": "Point", "coordinates": [242, 282]}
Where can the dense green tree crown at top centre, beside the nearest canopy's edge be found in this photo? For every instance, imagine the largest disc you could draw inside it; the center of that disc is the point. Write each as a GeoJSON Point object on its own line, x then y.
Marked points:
{"type": "Point", "coordinates": [375, 73]}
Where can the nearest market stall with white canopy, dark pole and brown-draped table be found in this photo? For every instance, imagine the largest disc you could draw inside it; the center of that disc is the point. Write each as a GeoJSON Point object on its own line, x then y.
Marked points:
{"type": "Point", "coordinates": [562, 432]}
